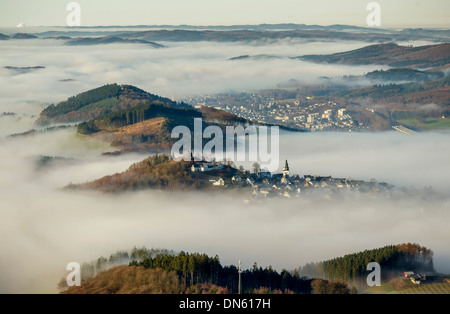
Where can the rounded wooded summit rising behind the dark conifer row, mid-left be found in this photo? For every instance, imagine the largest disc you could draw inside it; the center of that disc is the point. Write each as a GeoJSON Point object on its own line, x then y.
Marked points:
{"type": "Point", "coordinates": [100, 101]}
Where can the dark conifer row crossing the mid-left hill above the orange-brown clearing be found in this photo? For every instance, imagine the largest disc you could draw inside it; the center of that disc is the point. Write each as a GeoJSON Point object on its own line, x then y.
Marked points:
{"type": "Point", "coordinates": [136, 115]}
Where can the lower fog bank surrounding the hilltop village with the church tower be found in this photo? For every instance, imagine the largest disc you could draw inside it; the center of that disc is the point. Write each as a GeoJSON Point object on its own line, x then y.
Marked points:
{"type": "Point", "coordinates": [42, 227]}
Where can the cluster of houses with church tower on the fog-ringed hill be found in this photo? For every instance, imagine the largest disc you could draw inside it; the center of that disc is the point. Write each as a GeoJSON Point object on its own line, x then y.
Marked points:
{"type": "Point", "coordinates": [266, 184]}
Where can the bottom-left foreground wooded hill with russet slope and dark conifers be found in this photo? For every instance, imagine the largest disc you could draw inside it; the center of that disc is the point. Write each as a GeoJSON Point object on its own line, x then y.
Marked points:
{"type": "Point", "coordinates": [163, 271]}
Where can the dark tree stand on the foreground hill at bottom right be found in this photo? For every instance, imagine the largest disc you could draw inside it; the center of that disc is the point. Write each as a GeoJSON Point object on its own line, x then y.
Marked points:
{"type": "Point", "coordinates": [392, 258]}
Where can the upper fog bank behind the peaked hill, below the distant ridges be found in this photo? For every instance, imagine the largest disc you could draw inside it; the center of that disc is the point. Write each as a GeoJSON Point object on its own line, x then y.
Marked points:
{"type": "Point", "coordinates": [179, 70]}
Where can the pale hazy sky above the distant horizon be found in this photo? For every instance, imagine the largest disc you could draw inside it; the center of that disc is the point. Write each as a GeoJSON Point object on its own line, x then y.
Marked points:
{"type": "Point", "coordinates": [398, 13]}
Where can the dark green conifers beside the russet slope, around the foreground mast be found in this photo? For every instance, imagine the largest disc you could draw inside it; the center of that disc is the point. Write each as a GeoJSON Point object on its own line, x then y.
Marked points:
{"type": "Point", "coordinates": [195, 268]}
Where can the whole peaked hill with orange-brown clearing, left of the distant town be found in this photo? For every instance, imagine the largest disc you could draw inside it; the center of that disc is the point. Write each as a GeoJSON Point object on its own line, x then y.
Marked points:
{"type": "Point", "coordinates": [126, 116]}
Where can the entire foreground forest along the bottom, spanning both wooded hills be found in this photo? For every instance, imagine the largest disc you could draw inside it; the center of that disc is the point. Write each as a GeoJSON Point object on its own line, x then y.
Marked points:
{"type": "Point", "coordinates": [145, 270]}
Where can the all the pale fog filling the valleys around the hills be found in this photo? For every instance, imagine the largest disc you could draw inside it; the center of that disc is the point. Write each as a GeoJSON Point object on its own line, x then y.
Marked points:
{"type": "Point", "coordinates": [43, 227]}
